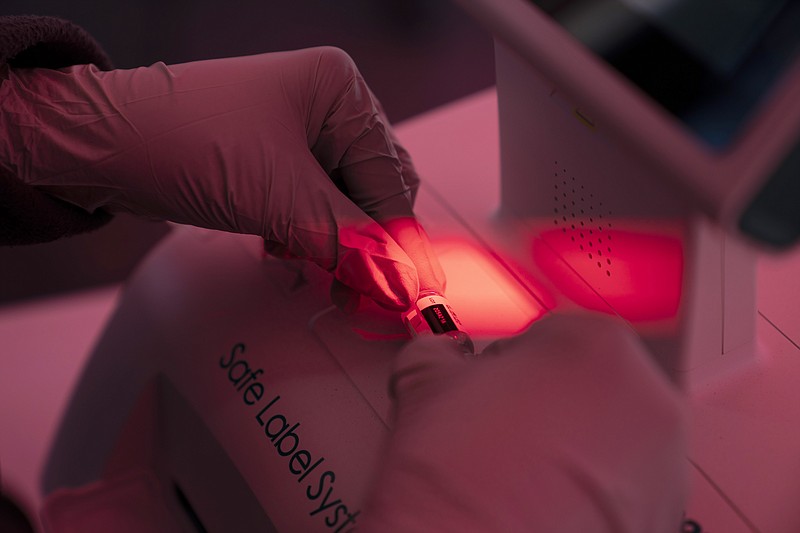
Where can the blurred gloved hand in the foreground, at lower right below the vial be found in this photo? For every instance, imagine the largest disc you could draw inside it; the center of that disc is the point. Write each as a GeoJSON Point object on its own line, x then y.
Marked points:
{"type": "Point", "coordinates": [566, 428]}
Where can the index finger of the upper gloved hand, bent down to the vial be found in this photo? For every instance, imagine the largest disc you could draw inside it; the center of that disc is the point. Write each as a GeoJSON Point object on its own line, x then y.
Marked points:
{"type": "Point", "coordinates": [356, 142]}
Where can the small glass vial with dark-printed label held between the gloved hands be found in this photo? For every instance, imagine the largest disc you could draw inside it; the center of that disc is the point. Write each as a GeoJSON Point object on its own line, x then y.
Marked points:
{"type": "Point", "coordinates": [432, 313]}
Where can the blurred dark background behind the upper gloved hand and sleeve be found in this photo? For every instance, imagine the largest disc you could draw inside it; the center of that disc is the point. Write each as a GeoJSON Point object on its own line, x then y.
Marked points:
{"type": "Point", "coordinates": [415, 54]}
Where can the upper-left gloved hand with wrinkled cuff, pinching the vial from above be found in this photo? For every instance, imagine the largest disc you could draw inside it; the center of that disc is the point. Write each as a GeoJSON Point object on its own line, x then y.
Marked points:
{"type": "Point", "coordinates": [291, 146]}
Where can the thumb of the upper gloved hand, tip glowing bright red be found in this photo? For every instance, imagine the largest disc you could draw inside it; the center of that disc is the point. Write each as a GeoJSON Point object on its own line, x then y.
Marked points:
{"type": "Point", "coordinates": [312, 219]}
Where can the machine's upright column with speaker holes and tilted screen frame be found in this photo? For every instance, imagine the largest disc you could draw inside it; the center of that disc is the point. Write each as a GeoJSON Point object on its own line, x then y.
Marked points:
{"type": "Point", "coordinates": [637, 204]}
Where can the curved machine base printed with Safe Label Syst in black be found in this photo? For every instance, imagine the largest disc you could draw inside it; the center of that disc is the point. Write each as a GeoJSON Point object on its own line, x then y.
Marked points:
{"type": "Point", "coordinates": [226, 384]}
